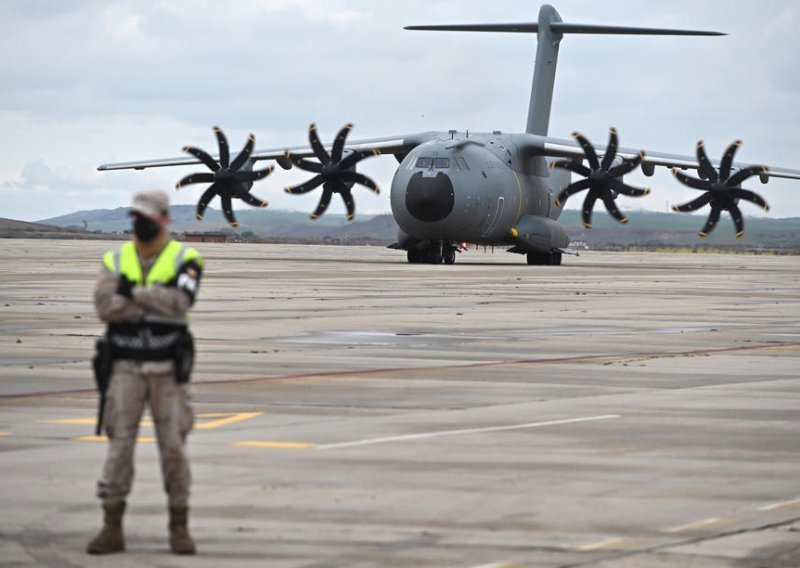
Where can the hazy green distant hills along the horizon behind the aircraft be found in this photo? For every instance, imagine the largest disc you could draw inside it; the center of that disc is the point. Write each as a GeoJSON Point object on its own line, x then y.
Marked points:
{"type": "Point", "coordinates": [646, 229]}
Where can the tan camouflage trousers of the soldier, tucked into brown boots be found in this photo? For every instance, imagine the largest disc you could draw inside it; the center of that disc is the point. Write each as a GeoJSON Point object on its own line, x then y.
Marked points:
{"type": "Point", "coordinates": [133, 385]}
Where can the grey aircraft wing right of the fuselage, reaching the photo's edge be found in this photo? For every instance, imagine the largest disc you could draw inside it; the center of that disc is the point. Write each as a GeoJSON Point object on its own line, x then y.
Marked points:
{"type": "Point", "coordinates": [555, 147]}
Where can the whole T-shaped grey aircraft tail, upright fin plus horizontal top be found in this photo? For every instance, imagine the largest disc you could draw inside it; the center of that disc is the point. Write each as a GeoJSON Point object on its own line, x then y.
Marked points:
{"type": "Point", "coordinates": [550, 29]}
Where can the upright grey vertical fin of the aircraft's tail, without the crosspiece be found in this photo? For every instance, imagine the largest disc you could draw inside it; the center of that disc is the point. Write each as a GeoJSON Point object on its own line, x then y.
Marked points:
{"type": "Point", "coordinates": [544, 72]}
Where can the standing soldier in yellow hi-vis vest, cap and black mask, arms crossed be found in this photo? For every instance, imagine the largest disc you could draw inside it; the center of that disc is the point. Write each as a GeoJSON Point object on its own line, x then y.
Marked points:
{"type": "Point", "coordinates": [144, 291]}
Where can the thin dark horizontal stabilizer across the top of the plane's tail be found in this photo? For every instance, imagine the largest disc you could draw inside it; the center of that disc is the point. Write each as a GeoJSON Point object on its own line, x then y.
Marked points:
{"type": "Point", "coordinates": [561, 28]}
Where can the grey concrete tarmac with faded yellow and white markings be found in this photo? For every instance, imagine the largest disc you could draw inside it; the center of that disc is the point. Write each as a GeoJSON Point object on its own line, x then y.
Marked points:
{"type": "Point", "coordinates": [621, 410]}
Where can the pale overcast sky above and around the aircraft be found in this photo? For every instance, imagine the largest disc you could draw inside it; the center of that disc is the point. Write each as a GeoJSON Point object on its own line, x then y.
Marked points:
{"type": "Point", "coordinates": [94, 81]}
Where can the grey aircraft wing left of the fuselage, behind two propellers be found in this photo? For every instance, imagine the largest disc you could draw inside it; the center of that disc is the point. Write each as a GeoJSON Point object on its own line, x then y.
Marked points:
{"type": "Point", "coordinates": [395, 145]}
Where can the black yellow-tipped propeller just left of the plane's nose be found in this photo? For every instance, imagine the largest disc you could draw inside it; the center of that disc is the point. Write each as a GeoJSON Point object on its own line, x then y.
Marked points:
{"type": "Point", "coordinates": [335, 171]}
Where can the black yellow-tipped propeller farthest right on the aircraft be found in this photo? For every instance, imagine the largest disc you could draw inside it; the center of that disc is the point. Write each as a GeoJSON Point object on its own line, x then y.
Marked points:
{"type": "Point", "coordinates": [722, 190]}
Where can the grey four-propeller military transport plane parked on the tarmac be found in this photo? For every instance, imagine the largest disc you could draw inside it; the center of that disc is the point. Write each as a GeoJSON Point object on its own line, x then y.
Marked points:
{"type": "Point", "coordinates": [483, 188]}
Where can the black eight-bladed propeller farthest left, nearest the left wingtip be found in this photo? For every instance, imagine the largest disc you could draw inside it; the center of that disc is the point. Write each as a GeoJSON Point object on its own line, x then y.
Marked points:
{"type": "Point", "coordinates": [228, 179]}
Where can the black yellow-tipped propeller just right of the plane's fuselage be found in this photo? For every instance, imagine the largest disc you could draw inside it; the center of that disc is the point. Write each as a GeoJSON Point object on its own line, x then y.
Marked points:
{"type": "Point", "coordinates": [600, 178]}
